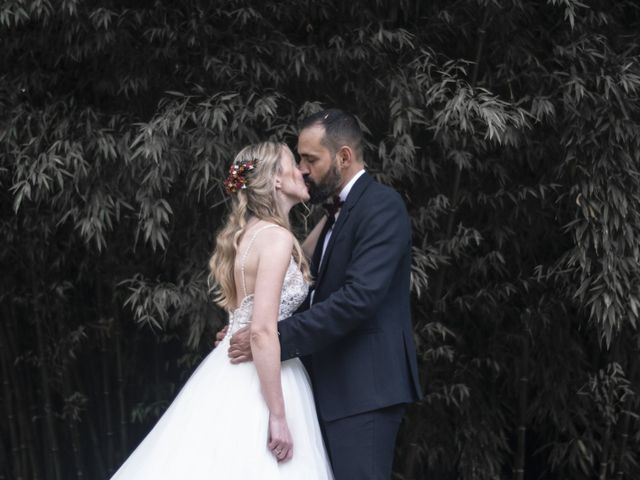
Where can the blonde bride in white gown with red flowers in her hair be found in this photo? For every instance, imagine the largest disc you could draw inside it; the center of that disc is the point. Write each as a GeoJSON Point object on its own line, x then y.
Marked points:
{"type": "Point", "coordinates": [255, 420]}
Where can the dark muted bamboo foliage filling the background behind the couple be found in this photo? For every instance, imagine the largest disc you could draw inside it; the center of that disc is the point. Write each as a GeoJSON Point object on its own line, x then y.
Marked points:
{"type": "Point", "coordinates": [510, 127]}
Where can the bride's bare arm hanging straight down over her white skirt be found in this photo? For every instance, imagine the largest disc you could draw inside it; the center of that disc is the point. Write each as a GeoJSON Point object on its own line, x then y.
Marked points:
{"type": "Point", "coordinates": [274, 255]}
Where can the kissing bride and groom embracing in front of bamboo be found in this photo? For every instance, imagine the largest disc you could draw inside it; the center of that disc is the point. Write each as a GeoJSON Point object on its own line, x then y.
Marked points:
{"type": "Point", "coordinates": [312, 375]}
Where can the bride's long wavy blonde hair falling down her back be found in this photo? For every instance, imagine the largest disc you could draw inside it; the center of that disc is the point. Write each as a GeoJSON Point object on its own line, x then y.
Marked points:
{"type": "Point", "coordinates": [257, 200]}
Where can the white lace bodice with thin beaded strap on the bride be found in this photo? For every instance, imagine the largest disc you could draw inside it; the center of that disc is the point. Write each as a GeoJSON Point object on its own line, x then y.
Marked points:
{"type": "Point", "coordinates": [294, 291]}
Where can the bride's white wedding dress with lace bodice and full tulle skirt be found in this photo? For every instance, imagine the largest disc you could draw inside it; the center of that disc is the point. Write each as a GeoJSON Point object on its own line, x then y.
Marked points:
{"type": "Point", "coordinates": [217, 427]}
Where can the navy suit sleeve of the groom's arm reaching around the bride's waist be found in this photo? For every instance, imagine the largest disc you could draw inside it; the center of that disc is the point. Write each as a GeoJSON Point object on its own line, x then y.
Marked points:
{"type": "Point", "coordinates": [381, 240]}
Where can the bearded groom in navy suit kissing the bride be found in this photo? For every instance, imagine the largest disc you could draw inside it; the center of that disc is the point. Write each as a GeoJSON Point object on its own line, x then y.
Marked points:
{"type": "Point", "coordinates": [355, 333]}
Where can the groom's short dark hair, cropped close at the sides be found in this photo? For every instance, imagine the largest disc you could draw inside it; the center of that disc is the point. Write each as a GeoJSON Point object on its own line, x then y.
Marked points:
{"type": "Point", "coordinates": [340, 128]}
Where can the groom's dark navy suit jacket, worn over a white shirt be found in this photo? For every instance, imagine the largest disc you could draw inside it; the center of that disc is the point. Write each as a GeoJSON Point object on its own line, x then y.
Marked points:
{"type": "Point", "coordinates": [357, 337]}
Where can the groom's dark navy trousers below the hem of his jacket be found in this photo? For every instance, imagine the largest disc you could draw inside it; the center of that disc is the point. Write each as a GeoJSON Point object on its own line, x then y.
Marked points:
{"type": "Point", "coordinates": [361, 446]}
